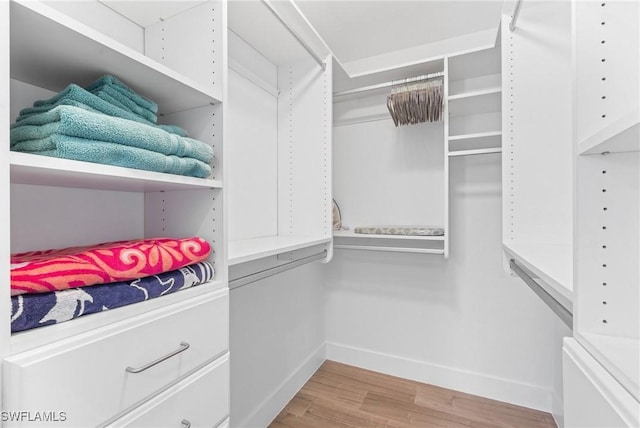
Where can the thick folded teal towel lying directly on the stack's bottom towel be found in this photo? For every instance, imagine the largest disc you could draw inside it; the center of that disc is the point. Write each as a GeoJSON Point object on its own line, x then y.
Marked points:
{"type": "Point", "coordinates": [31, 133]}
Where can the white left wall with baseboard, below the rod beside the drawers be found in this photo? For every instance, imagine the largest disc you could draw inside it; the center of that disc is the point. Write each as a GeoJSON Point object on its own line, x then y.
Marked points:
{"type": "Point", "coordinates": [276, 342]}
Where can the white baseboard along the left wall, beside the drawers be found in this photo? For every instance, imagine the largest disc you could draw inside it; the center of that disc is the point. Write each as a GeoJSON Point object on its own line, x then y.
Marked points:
{"type": "Point", "coordinates": [275, 402]}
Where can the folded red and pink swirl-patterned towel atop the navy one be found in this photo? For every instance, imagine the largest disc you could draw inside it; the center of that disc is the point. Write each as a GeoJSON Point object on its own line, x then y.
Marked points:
{"type": "Point", "coordinates": [59, 269]}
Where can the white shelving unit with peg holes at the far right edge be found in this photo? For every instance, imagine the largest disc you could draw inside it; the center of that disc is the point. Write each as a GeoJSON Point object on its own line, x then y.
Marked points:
{"type": "Point", "coordinates": [607, 146]}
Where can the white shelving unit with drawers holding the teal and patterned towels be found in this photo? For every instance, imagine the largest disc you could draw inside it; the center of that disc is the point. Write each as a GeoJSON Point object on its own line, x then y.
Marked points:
{"type": "Point", "coordinates": [56, 203]}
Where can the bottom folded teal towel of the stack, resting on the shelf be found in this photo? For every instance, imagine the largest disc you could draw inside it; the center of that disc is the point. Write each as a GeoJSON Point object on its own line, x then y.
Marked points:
{"type": "Point", "coordinates": [118, 155]}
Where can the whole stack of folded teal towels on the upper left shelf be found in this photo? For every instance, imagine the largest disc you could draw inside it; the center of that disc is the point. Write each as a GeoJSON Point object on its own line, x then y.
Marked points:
{"type": "Point", "coordinates": [108, 123]}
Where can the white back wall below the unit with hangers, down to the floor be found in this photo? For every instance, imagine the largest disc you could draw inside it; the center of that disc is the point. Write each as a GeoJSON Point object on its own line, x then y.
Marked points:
{"type": "Point", "coordinates": [461, 323]}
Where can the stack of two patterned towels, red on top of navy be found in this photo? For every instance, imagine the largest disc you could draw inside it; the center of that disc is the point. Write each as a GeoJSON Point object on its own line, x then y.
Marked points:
{"type": "Point", "coordinates": [57, 285]}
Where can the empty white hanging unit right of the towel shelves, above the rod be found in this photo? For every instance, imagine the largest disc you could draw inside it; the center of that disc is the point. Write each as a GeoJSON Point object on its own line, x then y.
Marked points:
{"type": "Point", "coordinates": [279, 153]}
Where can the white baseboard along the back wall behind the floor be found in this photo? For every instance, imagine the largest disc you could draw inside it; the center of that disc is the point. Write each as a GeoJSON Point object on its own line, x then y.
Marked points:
{"type": "Point", "coordinates": [521, 394]}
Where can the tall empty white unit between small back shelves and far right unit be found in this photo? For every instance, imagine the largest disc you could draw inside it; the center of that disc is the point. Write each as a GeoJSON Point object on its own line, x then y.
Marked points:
{"type": "Point", "coordinates": [537, 153]}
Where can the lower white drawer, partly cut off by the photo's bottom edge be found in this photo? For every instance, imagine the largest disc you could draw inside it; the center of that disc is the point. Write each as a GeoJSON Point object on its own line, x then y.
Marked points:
{"type": "Point", "coordinates": [200, 400]}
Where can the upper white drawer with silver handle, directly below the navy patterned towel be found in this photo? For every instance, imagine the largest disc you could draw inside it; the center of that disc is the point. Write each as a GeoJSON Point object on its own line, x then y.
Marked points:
{"type": "Point", "coordinates": [86, 376]}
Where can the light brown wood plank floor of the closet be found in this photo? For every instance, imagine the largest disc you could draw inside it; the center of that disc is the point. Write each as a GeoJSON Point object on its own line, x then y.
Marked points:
{"type": "Point", "coordinates": [342, 396]}
